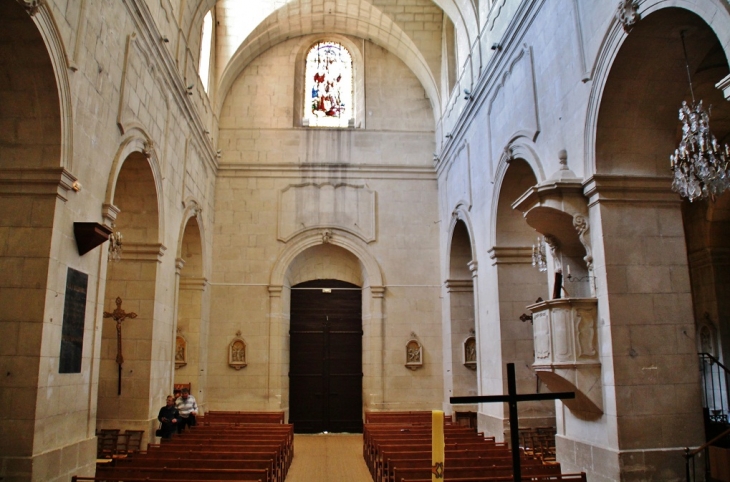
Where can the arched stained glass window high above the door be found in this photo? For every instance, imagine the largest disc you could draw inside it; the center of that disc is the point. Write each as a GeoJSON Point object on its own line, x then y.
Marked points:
{"type": "Point", "coordinates": [328, 86]}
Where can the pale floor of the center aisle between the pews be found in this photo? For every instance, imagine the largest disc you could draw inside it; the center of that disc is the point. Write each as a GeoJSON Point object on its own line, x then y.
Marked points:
{"type": "Point", "coordinates": [328, 458]}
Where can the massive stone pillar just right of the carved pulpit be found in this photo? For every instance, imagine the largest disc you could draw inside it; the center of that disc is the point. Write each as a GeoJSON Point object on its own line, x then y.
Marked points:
{"type": "Point", "coordinates": [646, 335]}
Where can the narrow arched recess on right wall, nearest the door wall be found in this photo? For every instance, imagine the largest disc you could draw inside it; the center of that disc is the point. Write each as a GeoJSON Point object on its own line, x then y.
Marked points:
{"type": "Point", "coordinates": [461, 342]}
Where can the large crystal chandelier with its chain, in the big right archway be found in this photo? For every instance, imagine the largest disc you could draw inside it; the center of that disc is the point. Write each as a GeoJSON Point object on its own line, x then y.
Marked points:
{"type": "Point", "coordinates": [700, 163]}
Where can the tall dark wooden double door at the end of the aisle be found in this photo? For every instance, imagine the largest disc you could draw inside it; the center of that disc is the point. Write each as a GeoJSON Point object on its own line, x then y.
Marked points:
{"type": "Point", "coordinates": [325, 370]}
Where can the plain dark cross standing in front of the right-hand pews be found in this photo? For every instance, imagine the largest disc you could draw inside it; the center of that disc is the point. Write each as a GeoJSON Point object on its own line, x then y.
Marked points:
{"type": "Point", "coordinates": [512, 398]}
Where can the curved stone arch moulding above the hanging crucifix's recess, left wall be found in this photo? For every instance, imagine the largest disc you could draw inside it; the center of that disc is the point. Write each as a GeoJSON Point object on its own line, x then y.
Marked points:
{"type": "Point", "coordinates": [137, 141]}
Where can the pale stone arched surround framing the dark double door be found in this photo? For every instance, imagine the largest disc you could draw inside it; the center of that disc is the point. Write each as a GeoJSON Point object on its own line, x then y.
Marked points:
{"type": "Point", "coordinates": [364, 271]}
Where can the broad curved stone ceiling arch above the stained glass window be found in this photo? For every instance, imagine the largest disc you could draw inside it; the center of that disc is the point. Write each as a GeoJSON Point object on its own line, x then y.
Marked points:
{"type": "Point", "coordinates": [347, 17]}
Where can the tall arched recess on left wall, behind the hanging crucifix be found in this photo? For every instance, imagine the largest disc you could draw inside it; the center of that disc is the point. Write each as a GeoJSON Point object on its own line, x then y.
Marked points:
{"type": "Point", "coordinates": [144, 375]}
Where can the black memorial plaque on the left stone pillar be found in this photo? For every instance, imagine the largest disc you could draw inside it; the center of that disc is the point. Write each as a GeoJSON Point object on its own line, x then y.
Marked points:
{"type": "Point", "coordinates": [74, 313]}
